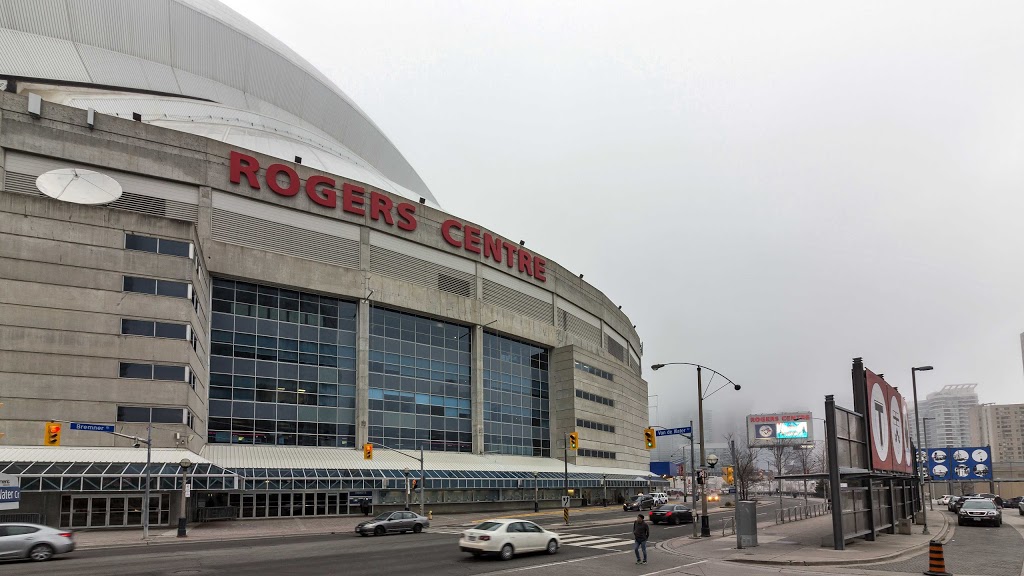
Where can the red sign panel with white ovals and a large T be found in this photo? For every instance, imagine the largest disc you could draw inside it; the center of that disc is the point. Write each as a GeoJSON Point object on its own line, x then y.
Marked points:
{"type": "Point", "coordinates": [887, 422]}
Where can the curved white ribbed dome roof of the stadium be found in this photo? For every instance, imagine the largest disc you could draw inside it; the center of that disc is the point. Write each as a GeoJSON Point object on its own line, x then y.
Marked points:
{"type": "Point", "coordinates": [198, 67]}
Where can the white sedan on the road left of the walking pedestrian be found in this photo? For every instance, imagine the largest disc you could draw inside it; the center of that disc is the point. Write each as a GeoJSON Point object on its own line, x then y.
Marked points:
{"type": "Point", "coordinates": [507, 538]}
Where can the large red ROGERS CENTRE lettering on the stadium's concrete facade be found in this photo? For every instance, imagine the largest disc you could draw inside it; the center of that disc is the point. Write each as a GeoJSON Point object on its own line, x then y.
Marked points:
{"type": "Point", "coordinates": [324, 192]}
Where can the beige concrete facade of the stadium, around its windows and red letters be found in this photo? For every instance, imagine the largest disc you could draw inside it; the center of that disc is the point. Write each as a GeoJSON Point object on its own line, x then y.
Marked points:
{"type": "Point", "coordinates": [62, 298]}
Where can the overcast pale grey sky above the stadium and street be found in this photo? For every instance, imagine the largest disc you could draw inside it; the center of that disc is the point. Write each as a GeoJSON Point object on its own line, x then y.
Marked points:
{"type": "Point", "coordinates": [770, 189]}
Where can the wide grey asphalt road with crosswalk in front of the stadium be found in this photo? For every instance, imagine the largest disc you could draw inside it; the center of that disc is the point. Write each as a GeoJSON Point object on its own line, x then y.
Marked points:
{"type": "Point", "coordinates": [595, 544]}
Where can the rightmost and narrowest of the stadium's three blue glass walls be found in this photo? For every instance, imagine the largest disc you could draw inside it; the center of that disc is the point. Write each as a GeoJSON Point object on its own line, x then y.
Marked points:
{"type": "Point", "coordinates": [516, 398]}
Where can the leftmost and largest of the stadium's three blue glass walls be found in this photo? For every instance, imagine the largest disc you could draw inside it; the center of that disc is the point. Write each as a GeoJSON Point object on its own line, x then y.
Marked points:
{"type": "Point", "coordinates": [282, 367]}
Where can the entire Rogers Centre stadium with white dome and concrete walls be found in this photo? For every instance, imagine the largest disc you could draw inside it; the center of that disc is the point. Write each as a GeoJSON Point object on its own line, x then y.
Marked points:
{"type": "Point", "coordinates": [202, 237]}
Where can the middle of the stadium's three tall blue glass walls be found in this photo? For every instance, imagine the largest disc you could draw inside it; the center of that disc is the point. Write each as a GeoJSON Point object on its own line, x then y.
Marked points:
{"type": "Point", "coordinates": [419, 383]}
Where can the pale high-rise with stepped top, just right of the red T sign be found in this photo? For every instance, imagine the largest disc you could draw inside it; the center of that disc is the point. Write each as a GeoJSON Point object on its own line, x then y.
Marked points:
{"type": "Point", "coordinates": [951, 410]}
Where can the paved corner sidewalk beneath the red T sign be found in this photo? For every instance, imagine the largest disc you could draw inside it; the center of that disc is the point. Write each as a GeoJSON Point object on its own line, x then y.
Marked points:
{"type": "Point", "coordinates": [799, 544]}
